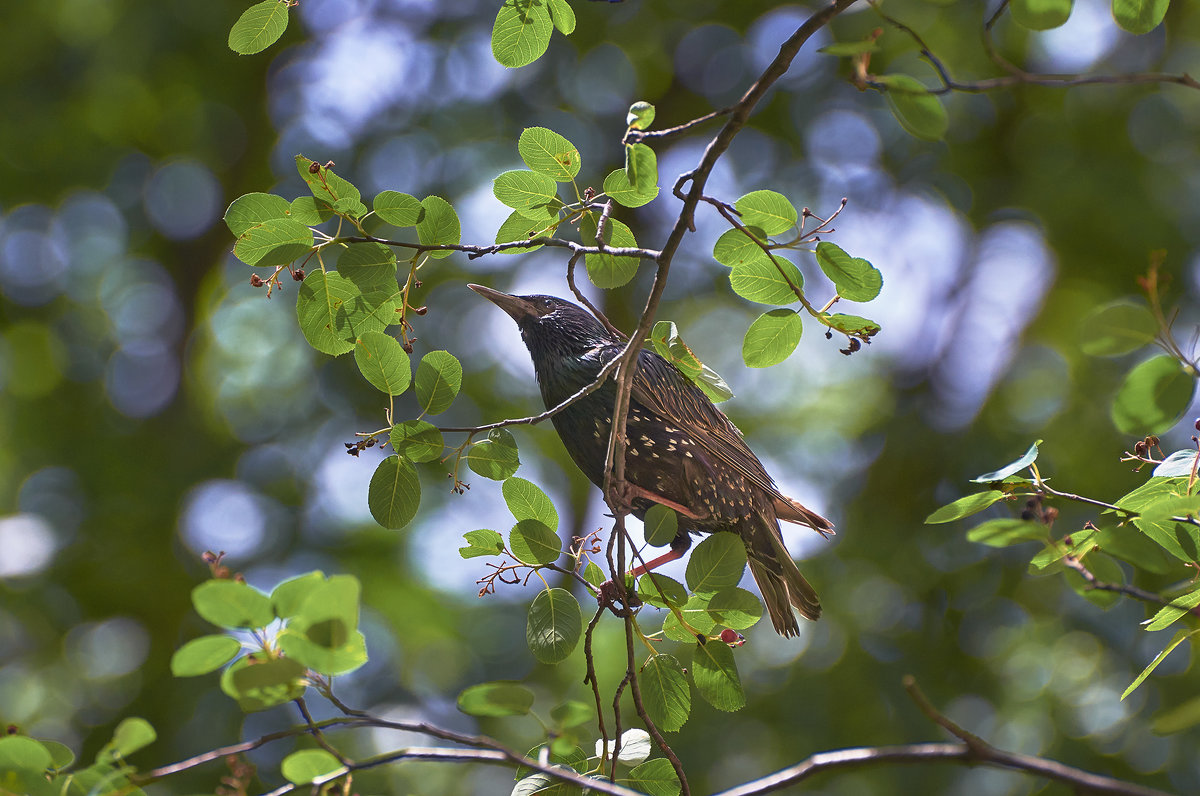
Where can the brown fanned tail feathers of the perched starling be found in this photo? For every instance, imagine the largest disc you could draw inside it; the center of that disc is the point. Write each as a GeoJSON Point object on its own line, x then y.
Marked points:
{"type": "Point", "coordinates": [781, 582]}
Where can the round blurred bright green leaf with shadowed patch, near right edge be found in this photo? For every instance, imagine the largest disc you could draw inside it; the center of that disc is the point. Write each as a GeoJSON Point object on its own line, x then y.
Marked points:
{"type": "Point", "coordinates": [1154, 397]}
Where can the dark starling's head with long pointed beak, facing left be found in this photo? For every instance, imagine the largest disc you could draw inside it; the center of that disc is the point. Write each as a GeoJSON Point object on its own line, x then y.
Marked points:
{"type": "Point", "coordinates": [549, 325]}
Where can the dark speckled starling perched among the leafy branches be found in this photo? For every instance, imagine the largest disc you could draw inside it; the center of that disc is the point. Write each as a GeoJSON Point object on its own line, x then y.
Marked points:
{"type": "Point", "coordinates": [682, 452]}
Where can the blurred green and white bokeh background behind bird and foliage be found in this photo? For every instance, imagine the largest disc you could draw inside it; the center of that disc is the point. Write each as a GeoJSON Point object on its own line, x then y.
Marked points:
{"type": "Point", "coordinates": [154, 406]}
